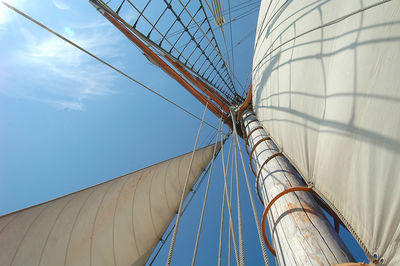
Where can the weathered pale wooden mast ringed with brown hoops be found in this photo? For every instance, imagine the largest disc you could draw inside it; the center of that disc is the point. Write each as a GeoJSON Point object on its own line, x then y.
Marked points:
{"type": "Point", "coordinates": [301, 234]}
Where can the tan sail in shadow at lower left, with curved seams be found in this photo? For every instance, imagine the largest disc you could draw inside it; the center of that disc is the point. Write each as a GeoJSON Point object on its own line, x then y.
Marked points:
{"type": "Point", "coordinates": [118, 222]}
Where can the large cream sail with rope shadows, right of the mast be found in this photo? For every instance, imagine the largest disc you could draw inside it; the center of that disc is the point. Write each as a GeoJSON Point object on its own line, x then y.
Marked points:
{"type": "Point", "coordinates": [330, 98]}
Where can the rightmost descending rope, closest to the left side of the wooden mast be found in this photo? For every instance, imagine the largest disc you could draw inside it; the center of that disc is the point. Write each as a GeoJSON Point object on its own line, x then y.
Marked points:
{"type": "Point", "coordinates": [253, 206]}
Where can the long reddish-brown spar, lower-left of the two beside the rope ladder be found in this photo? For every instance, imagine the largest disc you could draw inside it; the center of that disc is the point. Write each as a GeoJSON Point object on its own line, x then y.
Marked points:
{"type": "Point", "coordinates": [155, 58]}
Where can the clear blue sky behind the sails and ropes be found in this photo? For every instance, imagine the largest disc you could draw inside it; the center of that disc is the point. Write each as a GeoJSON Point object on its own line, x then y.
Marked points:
{"type": "Point", "coordinates": [68, 122]}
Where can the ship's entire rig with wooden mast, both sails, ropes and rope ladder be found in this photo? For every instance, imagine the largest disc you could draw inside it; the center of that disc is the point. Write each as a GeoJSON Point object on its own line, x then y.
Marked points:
{"type": "Point", "coordinates": [320, 123]}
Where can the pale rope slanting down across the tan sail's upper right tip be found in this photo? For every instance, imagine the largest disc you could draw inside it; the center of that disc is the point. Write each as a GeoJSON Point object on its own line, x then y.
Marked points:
{"type": "Point", "coordinates": [178, 217]}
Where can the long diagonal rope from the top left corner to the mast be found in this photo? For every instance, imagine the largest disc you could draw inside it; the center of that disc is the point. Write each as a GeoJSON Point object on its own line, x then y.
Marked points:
{"type": "Point", "coordinates": [102, 61]}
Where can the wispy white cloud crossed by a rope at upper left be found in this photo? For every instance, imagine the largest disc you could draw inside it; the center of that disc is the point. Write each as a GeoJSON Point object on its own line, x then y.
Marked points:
{"type": "Point", "coordinates": [64, 76]}
